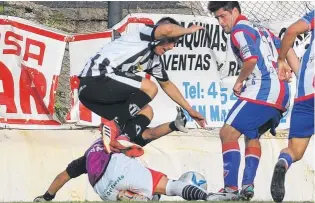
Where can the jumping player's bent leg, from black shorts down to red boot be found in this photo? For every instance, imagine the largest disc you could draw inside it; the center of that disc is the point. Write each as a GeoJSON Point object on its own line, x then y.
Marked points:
{"type": "Point", "coordinates": [121, 94]}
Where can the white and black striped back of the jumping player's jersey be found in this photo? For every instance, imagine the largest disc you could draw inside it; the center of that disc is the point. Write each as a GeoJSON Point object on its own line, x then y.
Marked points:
{"type": "Point", "coordinates": [120, 54]}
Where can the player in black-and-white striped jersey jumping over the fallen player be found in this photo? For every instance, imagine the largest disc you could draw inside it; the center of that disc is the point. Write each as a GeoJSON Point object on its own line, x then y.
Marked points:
{"type": "Point", "coordinates": [110, 88]}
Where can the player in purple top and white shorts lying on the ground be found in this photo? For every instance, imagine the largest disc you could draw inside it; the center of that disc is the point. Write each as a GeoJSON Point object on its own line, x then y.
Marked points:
{"type": "Point", "coordinates": [119, 177]}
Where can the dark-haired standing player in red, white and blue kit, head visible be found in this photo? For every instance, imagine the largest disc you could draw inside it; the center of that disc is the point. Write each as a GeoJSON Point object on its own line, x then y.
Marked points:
{"type": "Point", "coordinates": [261, 95]}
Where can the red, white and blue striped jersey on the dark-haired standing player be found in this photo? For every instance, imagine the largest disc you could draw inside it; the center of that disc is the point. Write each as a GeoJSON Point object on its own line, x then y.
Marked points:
{"type": "Point", "coordinates": [263, 86]}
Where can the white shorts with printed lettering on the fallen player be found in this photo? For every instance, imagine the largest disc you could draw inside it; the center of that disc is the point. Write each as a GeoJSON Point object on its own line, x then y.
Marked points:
{"type": "Point", "coordinates": [125, 173]}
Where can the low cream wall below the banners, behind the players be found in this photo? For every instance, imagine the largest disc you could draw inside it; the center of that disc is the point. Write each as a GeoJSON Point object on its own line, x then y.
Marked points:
{"type": "Point", "coordinates": [30, 160]}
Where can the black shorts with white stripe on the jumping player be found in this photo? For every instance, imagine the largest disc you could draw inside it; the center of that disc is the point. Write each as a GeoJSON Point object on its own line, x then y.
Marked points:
{"type": "Point", "coordinates": [106, 95]}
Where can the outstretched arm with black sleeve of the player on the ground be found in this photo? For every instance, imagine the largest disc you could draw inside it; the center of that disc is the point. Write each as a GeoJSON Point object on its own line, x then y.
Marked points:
{"type": "Point", "coordinates": [74, 169]}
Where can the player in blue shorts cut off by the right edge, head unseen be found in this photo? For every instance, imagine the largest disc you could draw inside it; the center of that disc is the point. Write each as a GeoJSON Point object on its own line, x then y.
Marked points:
{"type": "Point", "coordinates": [302, 116]}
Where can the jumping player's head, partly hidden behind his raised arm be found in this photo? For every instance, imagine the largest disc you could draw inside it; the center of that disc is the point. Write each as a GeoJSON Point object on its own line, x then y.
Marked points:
{"type": "Point", "coordinates": [165, 44]}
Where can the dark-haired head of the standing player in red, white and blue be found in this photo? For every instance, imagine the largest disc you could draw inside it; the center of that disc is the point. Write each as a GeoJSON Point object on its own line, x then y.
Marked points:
{"type": "Point", "coordinates": [226, 12]}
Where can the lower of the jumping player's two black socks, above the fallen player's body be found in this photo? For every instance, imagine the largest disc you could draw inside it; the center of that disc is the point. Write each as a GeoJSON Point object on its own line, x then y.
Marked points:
{"type": "Point", "coordinates": [135, 127]}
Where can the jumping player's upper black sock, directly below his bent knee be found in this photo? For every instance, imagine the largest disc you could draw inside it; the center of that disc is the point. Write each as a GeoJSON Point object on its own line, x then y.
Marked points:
{"type": "Point", "coordinates": [132, 106]}
